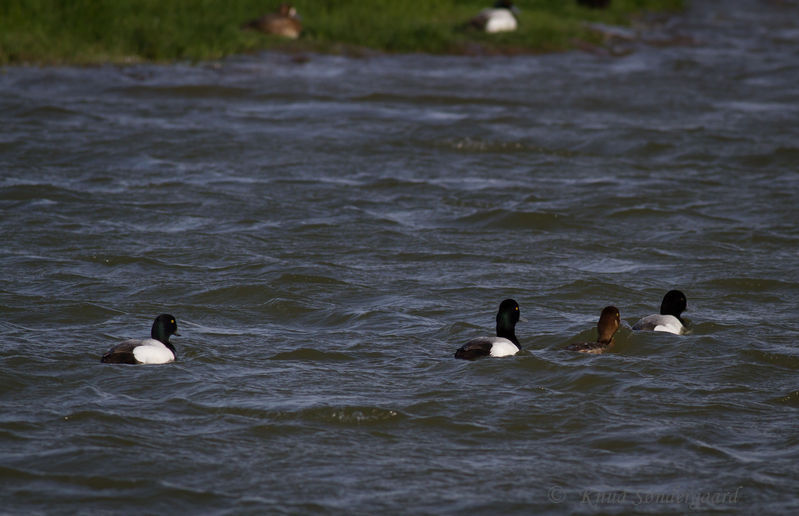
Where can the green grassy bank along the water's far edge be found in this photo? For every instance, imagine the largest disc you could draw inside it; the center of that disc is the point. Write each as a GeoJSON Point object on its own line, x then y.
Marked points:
{"type": "Point", "coordinates": [118, 31]}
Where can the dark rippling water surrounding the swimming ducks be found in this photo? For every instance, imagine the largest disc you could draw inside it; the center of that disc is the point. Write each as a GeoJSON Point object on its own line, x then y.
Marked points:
{"type": "Point", "coordinates": [328, 232]}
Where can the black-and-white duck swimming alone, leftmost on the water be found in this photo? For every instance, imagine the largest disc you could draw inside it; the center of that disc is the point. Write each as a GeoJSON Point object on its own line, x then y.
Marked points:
{"type": "Point", "coordinates": [155, 350]}
